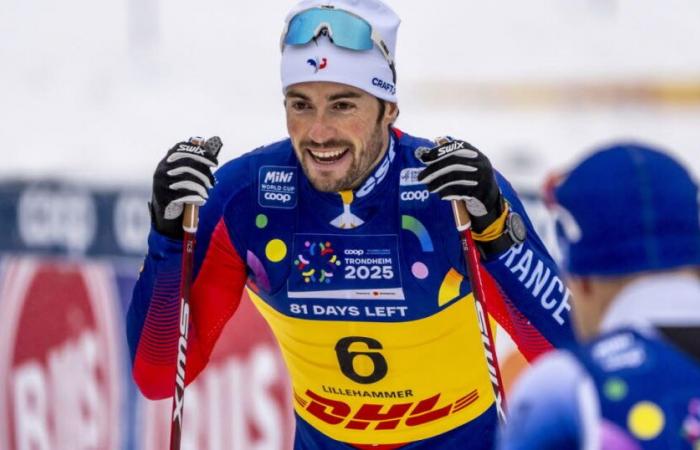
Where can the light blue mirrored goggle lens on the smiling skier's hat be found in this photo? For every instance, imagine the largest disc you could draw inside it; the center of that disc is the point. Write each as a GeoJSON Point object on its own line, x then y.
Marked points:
{"type": "Point", "coordinates": [347, 30]}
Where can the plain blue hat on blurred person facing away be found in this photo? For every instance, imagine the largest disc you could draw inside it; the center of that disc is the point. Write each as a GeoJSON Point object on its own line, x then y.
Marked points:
{"type": "Point", "coordinates": [628, 208]}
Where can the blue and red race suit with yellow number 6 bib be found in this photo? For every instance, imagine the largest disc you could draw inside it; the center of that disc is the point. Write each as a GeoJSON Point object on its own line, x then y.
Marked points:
{"type": "Point", "coordinates": [366, 293]}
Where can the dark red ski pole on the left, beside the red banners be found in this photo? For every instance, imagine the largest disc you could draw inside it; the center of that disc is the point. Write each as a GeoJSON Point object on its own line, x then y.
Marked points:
{"type": "Point", "coordinates": [190, 219]}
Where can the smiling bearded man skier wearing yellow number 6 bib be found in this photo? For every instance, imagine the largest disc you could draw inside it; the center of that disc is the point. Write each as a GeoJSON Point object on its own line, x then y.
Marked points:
{"type": "Point", "coordinates": [345, 242]}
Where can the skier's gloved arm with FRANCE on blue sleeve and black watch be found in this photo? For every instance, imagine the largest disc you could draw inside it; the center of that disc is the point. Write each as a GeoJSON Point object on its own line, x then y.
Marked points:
{"type": "Point", "coordinates": [527, 297]}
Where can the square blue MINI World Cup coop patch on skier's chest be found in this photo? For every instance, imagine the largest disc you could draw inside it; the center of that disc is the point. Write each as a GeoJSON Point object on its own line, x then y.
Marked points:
{"type": "Point", "coordinates": [277, 187]}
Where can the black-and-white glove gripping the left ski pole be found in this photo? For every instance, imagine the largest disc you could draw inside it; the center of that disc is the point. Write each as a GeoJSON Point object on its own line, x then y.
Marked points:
{"type": "Point", "coordinates": [183, 176]}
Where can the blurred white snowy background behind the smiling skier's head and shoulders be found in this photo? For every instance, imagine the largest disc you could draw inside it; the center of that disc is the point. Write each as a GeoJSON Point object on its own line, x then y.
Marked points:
{"type": "Point", "coordinates": [97, 91]}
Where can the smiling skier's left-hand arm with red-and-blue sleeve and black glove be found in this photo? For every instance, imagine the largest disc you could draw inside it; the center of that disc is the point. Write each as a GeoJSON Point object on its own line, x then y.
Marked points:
{"type": "Point", "coordinates": [152, 319]}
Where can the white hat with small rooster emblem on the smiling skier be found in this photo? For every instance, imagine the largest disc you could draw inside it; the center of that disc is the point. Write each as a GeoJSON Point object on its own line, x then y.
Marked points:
{"type": "Point", "coordinates": [370, 69]}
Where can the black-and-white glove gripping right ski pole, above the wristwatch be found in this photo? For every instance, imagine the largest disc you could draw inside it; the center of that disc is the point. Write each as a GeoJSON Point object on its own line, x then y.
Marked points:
{"type": "Point", "coordinates": [456, 170]}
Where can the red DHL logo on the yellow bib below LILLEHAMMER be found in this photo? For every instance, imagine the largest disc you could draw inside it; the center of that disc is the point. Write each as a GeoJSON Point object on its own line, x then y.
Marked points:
{"type": "Point", "coordinates": [381, 416]}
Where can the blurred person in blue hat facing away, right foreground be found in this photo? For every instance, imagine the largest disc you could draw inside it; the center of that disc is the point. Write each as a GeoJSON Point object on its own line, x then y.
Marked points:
{"type": "Point", "coordinates": [628, 219]}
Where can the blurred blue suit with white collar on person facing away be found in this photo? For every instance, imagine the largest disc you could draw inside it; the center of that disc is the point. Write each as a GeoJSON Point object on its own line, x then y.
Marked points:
{"type": "Point", "coordinates": [637, 386]}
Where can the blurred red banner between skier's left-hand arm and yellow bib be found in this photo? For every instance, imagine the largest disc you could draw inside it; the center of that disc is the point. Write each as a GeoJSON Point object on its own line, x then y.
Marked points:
{"type": "Point", "coordinates": [241, 401]}
